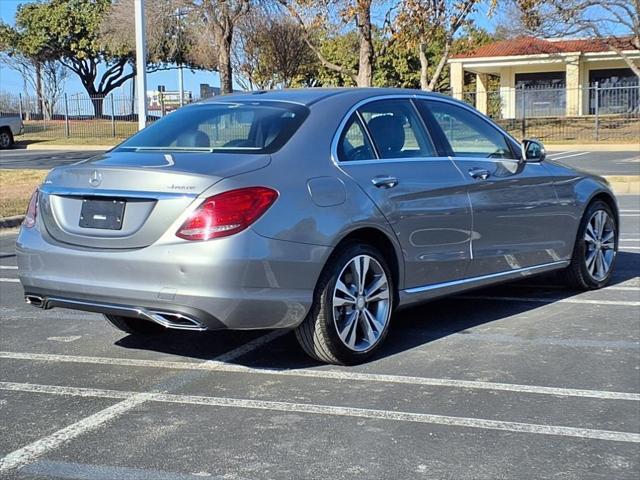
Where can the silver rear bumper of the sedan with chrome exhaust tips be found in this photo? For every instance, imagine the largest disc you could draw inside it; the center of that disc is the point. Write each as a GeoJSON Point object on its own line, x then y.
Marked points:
{"type": "Point", "coordinates": [241, 282]}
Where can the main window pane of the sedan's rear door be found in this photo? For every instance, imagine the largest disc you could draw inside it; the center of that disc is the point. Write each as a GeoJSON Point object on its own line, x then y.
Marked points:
{"type": "Point", "coordinates": [396, 129]}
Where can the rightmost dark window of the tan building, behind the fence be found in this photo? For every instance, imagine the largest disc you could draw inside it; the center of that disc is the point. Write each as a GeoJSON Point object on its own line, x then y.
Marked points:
{"type": "Point", "coordinates": [617, 91]}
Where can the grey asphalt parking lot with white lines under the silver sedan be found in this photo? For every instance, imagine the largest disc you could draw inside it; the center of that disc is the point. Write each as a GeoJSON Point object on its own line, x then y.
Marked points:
{"type": "Point", "coordinates": [525, 380]}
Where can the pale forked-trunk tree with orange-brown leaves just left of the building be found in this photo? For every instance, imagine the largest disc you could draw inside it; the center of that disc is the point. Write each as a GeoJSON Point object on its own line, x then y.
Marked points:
{"type": "Point", "coordinates": [422, 22]}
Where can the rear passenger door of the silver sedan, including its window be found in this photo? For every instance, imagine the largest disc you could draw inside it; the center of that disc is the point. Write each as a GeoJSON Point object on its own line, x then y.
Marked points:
{"type": "Point", "coordinates": [385, 148]}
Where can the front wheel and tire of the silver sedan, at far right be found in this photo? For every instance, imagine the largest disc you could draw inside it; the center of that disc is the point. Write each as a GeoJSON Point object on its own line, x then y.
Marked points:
{"type": "Point", "coordinates": [585, 272]}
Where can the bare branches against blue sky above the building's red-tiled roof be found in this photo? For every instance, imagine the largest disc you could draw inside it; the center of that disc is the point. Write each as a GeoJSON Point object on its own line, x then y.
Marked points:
{"type": "Point", "coordinates": [616, 23]}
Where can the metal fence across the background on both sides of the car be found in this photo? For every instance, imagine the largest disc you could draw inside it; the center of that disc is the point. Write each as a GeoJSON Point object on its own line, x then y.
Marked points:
{"type": "Point", "coordinates": [593, 113]}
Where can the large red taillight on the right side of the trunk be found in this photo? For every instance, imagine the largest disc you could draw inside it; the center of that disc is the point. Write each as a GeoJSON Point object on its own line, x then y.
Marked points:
{"type": "Point", "coordinates": [227, 213]}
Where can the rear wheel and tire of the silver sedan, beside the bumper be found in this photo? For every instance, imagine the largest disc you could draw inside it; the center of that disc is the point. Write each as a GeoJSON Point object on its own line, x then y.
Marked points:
{"type": "Point", "coordinates": [362, 332]}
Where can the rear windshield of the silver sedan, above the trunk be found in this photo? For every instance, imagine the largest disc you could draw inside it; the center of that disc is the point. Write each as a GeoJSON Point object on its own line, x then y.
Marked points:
{"type": "Point", "coordinates": [257, 127]}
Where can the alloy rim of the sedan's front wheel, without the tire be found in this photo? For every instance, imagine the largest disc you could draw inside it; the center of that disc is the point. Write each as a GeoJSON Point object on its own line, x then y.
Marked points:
{"type": "Point", "coordinates": [600, 240]}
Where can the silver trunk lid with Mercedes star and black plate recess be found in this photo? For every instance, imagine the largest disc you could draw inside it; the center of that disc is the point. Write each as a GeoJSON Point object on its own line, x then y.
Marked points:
{"type": "Point", "coordinates": [128, 199]}
